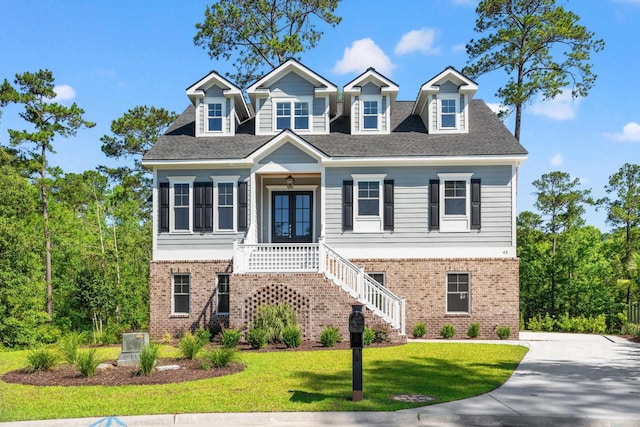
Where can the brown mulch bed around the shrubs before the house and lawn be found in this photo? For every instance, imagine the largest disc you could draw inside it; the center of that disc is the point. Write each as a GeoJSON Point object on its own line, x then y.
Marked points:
{"type": "Point", "coordinates": [190, 370]}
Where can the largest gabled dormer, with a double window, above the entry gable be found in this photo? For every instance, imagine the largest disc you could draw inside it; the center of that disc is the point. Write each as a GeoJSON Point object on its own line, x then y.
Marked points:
{"type": "Point", "coordinates": [293, 97]}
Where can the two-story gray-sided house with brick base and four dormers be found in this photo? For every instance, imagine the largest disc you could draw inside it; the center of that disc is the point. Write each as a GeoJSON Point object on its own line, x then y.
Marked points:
{"type": "Point", "coordinates": [323, 198]}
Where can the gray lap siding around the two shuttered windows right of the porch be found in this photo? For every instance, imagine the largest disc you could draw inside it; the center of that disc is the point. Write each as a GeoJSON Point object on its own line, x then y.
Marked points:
{"type": "Point", "coordinates": [411, 207]}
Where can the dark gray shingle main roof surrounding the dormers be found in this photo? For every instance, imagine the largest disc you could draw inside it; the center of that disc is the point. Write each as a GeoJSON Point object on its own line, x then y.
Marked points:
{"type": "Point", "coordinates": [487, 137]}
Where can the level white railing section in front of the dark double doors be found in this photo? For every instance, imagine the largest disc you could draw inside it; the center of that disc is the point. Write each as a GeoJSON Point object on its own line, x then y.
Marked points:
{"type": "Point", "coordinates": [273, 257]}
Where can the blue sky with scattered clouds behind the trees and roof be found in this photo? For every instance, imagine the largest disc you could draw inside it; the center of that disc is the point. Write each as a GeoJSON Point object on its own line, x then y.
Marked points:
{"type": "Point", "coordinates": [109, 56]}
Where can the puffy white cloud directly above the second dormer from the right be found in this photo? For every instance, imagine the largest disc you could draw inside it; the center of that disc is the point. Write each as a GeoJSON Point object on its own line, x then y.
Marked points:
{"type": "Point", "coordinates": [361, 55]}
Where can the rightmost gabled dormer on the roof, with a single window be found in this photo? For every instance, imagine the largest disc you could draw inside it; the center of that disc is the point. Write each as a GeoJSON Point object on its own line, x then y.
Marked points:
{"type": "Point", "coordinates": [443, 102]}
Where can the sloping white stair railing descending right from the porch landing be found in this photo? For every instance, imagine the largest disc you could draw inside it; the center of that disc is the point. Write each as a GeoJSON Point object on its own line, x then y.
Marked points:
{"type": "Point", "coordinates": [360, 285]}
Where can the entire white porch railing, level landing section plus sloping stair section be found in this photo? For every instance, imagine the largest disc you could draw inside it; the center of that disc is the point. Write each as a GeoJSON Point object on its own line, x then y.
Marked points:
{"type": "Point", "coordinates": [319, 257]}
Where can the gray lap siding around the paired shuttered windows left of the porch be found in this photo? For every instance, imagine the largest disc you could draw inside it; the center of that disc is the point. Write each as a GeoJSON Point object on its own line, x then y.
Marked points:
{"type": "Point", "coordinates": [197, 241]}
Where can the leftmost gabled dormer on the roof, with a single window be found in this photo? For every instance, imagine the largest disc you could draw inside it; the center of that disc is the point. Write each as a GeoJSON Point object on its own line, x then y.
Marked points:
{"type": "Point", "coordinates": [219, 105]}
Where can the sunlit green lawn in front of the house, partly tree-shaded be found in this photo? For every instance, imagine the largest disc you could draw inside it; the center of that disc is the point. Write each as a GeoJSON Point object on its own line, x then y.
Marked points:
{"type": "Point", "coordinates": [279, 381]}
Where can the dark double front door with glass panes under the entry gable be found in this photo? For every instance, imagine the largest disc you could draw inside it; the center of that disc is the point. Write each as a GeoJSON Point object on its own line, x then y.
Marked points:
{"type": "Point", "coordinates": [292, 214]}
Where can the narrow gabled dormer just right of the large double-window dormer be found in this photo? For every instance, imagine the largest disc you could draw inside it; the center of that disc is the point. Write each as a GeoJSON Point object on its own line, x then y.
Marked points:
{"type": "Point", "coordinates": [367, 100]}
